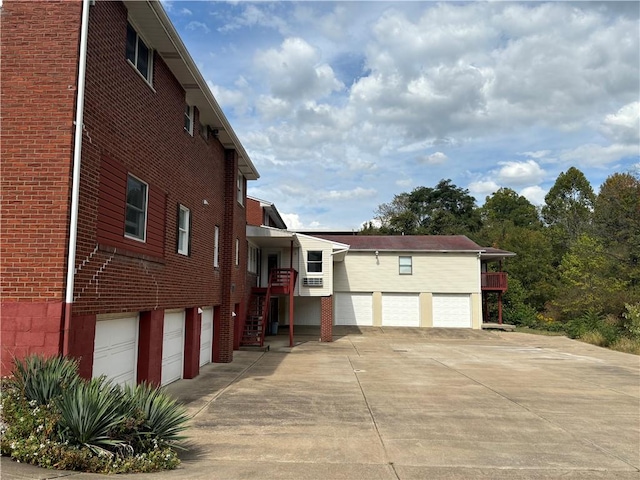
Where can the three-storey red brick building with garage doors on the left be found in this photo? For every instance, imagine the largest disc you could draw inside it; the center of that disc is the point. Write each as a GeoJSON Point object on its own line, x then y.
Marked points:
{"type": "Point", "coordinates": [158, 245]}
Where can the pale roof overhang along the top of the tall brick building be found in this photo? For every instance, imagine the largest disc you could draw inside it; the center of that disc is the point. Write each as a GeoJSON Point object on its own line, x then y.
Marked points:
{"type": "Point", "coordinates": [156, 28]}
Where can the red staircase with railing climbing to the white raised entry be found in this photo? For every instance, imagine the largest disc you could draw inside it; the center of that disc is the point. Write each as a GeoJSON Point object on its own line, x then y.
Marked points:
{"type": "Point", "coordinates": [281, 282]}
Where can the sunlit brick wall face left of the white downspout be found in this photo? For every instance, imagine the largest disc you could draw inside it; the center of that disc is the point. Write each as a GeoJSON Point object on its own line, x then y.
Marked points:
{"type": "Point", "coordinates": [39, 72]}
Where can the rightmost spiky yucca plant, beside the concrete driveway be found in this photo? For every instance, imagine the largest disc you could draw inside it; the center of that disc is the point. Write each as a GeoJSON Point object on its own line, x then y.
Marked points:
{"type": "Point", "coordinates": [164, 418]}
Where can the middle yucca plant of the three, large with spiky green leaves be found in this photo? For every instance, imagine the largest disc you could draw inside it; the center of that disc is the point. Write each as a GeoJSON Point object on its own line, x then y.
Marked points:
{"type": "Point", "coordinates": [90, 412]}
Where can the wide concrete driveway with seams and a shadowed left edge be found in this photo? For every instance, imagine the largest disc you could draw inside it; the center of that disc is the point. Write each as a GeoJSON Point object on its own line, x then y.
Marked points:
{"type": "Point", "coordinates": [407, 404]}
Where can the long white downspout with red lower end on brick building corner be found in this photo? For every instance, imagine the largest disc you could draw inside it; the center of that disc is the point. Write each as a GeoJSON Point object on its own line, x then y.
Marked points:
{"type": "Point", "coordinates": [75, 189]}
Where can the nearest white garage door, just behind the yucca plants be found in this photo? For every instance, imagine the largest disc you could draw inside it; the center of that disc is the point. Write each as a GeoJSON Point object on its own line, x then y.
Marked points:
{"type": "Point", "coordinates": [115, 351]}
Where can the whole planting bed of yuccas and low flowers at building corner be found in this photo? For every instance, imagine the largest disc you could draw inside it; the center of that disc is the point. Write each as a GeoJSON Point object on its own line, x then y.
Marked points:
{"type": "Point", "coordinates": [93, 426]}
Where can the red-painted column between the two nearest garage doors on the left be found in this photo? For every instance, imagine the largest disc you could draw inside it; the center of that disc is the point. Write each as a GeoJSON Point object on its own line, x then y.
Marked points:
{"type": "Point", "coordinates": [150, 336]}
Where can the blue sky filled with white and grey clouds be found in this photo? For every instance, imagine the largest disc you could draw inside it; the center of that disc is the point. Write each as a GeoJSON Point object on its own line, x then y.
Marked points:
{"type": "Point", "coordinates": [342, 105]}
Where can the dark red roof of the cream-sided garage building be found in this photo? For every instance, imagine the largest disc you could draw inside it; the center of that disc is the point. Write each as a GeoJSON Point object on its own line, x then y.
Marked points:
{"type": "Point", "coordinates": [405, 242]}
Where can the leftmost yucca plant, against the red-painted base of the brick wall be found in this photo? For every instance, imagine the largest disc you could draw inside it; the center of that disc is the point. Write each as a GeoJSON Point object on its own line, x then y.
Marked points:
{"type": "Point", "coordinates": [42, 379]}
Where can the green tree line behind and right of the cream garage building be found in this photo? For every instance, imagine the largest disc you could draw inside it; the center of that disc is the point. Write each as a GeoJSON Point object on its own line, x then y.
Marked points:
{"type": "Point", "coordinates": [578, 254]}
